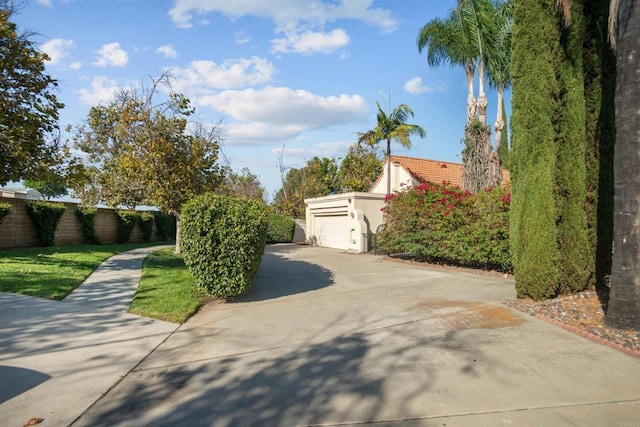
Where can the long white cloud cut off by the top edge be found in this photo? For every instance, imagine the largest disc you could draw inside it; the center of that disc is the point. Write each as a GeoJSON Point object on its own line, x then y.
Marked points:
{"type": "Point", "coordinates": [288, 13]}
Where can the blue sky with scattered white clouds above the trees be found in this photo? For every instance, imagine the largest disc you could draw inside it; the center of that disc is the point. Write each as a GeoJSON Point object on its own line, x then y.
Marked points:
{"type": "Point", "coordinates": [303, 74]}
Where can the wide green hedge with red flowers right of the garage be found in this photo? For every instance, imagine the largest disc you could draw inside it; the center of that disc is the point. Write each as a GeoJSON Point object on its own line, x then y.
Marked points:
{"type": "Point", "coordinates": [439, 223]}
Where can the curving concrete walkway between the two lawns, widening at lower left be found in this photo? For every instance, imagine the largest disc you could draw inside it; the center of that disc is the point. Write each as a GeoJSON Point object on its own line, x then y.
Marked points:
{"type": "Point", "coordinates": [58, 358]}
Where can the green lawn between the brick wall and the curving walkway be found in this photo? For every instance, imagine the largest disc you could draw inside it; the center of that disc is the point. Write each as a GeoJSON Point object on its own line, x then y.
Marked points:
{"type": "Point", "coordinates": [53, 272]}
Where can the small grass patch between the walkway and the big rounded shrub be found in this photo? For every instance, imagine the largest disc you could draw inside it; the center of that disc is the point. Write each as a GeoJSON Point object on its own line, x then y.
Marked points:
{"type": "Point", "coordinates": [167, 290]}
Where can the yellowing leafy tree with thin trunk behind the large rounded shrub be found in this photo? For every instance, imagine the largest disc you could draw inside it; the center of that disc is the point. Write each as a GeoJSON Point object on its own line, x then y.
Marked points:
{"type": "Point", "coordinates": [149, 152]}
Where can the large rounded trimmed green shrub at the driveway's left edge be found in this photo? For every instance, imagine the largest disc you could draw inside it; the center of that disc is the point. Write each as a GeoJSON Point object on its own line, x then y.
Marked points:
{"type": "Point", "coordinates": [222, 241]}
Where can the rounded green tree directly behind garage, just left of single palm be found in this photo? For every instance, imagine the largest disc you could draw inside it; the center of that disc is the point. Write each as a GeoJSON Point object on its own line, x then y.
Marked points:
{"type": "Point", "coordinates": [360, 168]}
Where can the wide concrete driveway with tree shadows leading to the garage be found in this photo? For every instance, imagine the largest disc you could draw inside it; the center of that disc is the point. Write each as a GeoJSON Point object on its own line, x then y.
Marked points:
{"type": "Point", "coordinates": [330, 338]}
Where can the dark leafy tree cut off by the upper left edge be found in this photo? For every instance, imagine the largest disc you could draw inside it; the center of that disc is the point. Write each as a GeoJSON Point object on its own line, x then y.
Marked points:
{"type": "Point", "coordinates": [28, 105]}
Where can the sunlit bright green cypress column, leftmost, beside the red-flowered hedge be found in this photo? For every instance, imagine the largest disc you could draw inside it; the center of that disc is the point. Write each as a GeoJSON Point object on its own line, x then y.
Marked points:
{"type": "Point", "coordinates": [534, 234]}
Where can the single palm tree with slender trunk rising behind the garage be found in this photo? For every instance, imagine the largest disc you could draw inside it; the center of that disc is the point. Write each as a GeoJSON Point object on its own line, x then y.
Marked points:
{"type": "Point", "coordinates": [390, 127]}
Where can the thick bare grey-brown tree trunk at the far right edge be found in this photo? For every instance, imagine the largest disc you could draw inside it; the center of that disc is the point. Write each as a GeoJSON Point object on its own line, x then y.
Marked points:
{"type": "Point", "coordinates": [624, 301]}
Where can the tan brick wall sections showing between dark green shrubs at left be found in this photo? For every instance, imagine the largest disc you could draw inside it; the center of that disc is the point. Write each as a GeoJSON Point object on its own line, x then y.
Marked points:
{"type": "Point", "coordinates": [17, 230]}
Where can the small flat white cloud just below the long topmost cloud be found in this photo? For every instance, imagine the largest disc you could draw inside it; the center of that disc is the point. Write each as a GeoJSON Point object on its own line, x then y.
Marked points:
{"type": "Point", "coordinates": [309, 42]}
